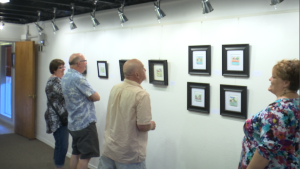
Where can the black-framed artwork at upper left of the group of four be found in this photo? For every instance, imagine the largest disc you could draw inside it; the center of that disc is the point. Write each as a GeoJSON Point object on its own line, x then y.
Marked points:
{"type": "Point", "coordinates": [200, 60]}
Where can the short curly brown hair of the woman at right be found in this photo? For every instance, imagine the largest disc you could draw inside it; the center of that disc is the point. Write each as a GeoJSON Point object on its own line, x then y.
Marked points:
{"type": "Point", "coordinates": [288, 70]}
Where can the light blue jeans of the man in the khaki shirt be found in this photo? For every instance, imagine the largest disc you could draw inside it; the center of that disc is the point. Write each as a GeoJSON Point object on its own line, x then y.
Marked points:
{"type": "Point", "coordinates": [108, 163]}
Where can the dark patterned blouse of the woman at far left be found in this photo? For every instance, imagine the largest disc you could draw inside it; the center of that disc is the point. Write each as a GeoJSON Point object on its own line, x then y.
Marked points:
{"type": "Point", "coordinates": [54, 93]}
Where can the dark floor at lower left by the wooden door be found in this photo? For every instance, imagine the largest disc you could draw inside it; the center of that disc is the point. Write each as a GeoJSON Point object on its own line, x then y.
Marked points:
{"type": "Point", "coordinates": [18, 152]}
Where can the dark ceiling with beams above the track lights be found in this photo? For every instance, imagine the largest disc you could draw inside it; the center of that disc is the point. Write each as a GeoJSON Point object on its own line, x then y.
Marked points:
{"type": "Point", "coordinates": [25, 11]}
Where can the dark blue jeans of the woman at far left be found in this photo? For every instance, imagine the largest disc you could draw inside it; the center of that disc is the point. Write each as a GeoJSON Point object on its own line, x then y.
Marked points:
{"type": "Point", "coordinates": [61, 136]}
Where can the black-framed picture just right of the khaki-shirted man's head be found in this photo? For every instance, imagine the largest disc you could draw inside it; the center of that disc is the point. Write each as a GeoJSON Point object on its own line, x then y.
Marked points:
{"type": "Point", "coordinates": [158, 72]}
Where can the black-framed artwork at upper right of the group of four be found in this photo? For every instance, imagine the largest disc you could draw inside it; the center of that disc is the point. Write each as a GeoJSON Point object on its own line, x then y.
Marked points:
{"type": "Point", "coordinates": [235, 60]}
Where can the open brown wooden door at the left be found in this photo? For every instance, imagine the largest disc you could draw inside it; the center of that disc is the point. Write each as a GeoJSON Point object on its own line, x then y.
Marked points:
{"type": "Point", "coordinates": [25, 96]}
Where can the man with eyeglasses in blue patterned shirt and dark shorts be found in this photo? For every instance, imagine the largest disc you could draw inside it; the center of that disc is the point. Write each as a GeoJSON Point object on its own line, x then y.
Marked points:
{"type": "Point", "coordinates": [80, 97]}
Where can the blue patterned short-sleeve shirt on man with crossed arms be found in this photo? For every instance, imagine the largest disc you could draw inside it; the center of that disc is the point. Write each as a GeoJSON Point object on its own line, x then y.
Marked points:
{"type": "Point", "coordinates": [76, 91]}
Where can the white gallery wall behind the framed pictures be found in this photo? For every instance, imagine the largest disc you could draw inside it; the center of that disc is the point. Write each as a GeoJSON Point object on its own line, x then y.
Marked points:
{"type": "Point", "coordinates": [183, 139]}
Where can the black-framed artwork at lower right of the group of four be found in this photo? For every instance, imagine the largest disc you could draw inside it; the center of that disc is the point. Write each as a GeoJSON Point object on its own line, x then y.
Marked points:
{"type": "Point", "coordinates": [233, 101]}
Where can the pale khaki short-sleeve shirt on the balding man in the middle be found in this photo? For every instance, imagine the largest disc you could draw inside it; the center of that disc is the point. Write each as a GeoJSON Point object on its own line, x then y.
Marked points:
{"type": "Point", "coordinates": [128, 106]}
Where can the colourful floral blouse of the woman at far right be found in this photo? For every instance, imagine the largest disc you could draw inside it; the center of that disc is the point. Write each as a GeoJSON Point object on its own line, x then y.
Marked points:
{"type": "Point", "coordinates": [274, 132]}
